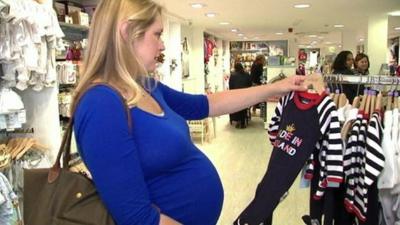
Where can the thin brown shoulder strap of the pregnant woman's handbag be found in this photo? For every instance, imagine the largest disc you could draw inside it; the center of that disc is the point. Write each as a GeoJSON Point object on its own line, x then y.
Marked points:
{"type": "Point", "coordinates": [65, 147]}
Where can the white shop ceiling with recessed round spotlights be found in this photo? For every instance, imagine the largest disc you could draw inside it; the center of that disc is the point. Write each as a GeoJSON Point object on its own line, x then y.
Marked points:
{"type": "Point", "coordinates": [263, 18]}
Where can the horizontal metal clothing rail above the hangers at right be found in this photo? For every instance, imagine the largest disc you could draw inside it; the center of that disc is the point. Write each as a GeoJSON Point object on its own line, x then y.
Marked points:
{"type": "Point", "coordinates": [362, 79]}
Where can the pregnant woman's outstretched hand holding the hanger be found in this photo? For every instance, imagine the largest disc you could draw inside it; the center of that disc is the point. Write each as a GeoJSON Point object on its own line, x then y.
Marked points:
{"type": "Point", "coordinates": [292, 83]}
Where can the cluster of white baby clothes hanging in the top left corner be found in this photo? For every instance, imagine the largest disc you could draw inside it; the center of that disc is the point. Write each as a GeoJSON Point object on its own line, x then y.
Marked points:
{"type": "Point", "coordinates": [30, 33]}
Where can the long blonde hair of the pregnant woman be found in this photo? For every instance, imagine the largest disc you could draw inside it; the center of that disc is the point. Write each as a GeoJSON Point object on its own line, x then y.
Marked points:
{"type": "Point", "coordinates": [109, 57]}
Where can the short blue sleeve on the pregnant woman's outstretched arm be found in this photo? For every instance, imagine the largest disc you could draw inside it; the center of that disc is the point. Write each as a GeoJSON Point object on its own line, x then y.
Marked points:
{"type": "Point", "coordinates": [189, 106]}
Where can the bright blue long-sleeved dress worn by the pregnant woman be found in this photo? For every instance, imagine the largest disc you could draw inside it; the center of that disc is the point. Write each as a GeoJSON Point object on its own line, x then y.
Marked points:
{"type": "Point", "coordinates": [156, 163]}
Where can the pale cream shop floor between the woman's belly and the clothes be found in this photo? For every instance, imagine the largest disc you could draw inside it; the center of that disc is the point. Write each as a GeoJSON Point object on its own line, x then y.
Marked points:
{"type": "Point", "coordinates": [241, 157]}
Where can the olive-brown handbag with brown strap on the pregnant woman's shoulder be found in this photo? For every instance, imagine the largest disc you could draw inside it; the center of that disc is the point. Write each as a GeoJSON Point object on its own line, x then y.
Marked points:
{"type": "Point", "coordinates": [57, 196]}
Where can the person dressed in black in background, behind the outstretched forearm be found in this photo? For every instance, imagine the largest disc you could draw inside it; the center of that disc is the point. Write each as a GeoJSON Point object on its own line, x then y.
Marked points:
{"type": "Point", "coordinates": [239, 79]}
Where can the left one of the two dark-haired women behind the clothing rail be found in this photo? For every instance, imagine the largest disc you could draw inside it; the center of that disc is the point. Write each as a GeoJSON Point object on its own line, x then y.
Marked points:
{"type": "Point", "coordinates": [342, 65]}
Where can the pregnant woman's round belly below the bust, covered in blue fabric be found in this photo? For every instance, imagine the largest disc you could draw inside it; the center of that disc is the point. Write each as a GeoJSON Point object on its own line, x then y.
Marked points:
{"type": "Point", "coordinates": [191, 194]}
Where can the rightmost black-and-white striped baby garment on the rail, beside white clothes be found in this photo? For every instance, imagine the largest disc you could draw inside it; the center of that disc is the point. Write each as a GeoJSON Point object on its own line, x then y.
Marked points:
{"type": "Point", "coordinates": [364, 161]}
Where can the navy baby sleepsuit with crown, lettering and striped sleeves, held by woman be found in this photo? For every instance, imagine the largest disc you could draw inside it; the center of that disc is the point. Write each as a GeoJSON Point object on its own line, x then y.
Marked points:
{"type": "Point", "coordinates": [294, 142]}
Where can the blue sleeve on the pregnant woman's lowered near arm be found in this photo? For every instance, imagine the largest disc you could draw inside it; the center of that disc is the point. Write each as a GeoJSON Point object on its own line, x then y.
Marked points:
{"type": "Point", "coordinates": [110, 153]}
